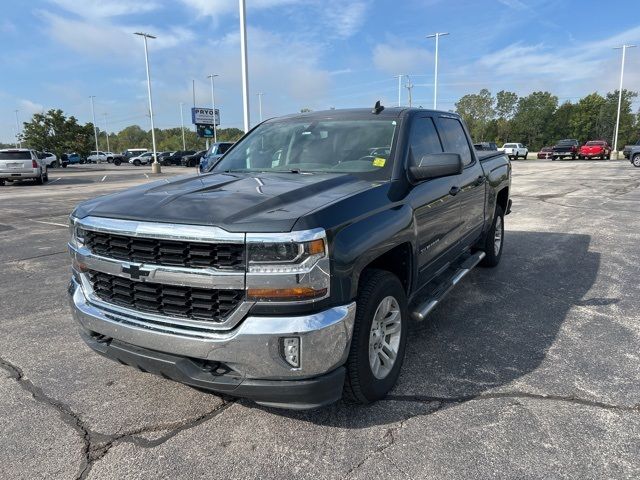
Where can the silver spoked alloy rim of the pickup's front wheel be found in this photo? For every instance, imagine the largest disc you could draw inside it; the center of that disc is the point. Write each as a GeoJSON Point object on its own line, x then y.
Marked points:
{"type": "Point", "coordinates": [384, 341]}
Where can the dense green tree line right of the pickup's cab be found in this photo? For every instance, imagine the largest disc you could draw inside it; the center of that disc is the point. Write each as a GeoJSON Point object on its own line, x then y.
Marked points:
{"type": "Point", "coordinates": [538, 120]}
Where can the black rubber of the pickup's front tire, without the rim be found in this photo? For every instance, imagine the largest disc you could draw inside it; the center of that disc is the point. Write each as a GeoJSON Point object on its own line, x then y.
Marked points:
{"type": "Point", "coordinates": [361, 386]}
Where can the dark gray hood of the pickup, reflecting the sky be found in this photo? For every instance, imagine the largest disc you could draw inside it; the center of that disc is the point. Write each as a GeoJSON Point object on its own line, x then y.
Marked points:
{"type": "Point", "coordinates": [240, 202]}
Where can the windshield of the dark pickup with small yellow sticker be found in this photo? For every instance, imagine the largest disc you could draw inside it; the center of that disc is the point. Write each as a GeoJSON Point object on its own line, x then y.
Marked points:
{"type": "Point", "coordinates": [315, 146]}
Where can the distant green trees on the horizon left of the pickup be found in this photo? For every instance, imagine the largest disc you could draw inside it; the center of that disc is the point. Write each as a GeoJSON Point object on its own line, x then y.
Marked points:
{"type": "Point", "coordinates": [53, 131]}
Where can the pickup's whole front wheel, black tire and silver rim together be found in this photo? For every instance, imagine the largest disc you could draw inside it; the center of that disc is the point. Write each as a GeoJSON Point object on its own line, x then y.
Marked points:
{"type": "Point", "coordinates": [379, 337]}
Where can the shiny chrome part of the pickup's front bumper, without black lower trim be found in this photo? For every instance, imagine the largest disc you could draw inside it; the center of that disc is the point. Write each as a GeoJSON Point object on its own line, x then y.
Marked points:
{"type": "Point", "coordinates": [252, 349]}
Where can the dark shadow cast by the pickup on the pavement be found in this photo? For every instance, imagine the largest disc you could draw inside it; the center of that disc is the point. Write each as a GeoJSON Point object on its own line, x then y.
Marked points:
{"type": "Point", "coordinates": [494, 328]}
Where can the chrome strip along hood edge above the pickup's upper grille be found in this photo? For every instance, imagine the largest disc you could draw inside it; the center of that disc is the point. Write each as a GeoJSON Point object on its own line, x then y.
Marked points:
{"type": "Point", "coordinates": [160, 231]}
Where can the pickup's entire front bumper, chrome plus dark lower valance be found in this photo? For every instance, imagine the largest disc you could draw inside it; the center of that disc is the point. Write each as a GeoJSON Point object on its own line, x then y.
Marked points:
{"type": "Point", "coordinates": [251, 351]}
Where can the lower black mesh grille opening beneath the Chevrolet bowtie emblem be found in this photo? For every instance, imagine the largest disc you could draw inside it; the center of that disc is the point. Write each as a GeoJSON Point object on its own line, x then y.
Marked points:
{"type": "Point", "coordinates": [212, 305]}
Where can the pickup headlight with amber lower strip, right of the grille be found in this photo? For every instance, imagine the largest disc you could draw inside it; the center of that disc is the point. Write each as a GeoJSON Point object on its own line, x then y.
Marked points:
{"type": "Point", "coordinates": [288, 267]}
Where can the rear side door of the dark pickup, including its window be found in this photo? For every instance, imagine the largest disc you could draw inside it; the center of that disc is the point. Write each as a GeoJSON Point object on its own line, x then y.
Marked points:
{"type": "Point", "coordinates": [471, 184]}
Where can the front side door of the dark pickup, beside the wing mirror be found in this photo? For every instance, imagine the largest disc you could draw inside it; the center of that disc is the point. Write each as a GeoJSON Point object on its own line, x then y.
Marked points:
{"type": "Point", "coordinates": [436, 210]}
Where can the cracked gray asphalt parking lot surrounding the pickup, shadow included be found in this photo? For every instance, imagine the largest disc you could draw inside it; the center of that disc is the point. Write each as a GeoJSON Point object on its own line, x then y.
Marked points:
{"type": "Point", "coordinates": [530, 370]}
